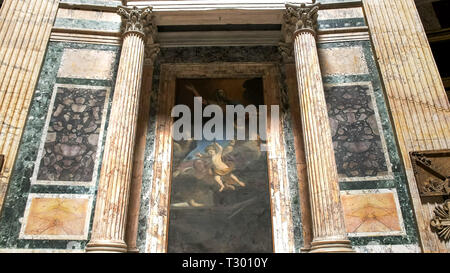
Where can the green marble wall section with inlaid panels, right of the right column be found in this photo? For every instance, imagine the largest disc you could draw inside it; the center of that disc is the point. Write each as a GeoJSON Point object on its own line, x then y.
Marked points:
{"type": "Point", "coordinates": [374, 192]}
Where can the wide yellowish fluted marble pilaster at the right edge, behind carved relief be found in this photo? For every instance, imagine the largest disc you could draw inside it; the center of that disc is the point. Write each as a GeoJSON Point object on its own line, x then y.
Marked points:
{"type": "Point", "coordinates": [417, 99]}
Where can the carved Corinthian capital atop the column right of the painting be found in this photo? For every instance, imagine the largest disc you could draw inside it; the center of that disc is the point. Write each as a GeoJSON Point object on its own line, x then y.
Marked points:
{"type": "Point", "coordinates": [301, 17]}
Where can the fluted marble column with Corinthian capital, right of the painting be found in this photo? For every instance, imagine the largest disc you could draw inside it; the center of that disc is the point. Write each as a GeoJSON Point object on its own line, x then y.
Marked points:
{"type": "Point", "coordinates": [329, 233]}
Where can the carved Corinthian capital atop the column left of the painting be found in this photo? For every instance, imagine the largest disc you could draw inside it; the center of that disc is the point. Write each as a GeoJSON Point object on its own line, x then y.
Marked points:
{"type": "Point", "coordinates": [136, 20]}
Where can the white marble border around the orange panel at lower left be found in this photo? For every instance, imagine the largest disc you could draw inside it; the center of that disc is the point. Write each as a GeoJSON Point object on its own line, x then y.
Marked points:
{"type": "Point", "coordinates": [32, 196]}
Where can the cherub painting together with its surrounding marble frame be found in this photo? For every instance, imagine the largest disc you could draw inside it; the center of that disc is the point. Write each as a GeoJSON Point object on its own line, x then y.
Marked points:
{"type": "Point", "coordinates": [240, 203]}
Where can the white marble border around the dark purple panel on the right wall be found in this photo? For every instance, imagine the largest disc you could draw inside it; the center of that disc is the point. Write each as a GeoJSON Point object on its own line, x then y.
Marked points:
{"type": "Point", "coordinates": [389, 175]}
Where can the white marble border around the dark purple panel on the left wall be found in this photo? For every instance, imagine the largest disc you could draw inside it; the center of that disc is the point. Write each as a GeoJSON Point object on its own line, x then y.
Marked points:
{"type": "Point", "coordinates": [91, 183]}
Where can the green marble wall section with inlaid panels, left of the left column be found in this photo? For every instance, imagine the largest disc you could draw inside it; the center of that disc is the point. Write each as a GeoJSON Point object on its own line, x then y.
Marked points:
{"type": "Point", "coordinates": [49, 204]}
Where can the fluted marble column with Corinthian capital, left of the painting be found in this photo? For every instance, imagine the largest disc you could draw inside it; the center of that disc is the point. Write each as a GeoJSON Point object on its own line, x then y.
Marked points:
{"type": "Point", "coordinates": [108, 231]}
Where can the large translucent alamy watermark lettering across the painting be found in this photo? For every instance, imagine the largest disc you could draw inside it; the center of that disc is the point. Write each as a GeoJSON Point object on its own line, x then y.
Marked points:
{"type": "Point", "coordinates": [241, 122]}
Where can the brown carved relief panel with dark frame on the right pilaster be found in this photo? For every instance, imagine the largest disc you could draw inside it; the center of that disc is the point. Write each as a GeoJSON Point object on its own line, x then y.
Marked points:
{"type": "Point", "coordinates": [432, 172]}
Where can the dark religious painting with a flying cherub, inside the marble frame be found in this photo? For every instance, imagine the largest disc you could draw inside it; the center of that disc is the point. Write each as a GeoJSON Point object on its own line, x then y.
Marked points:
{"type": "Point", "coordinates": [219, 199]}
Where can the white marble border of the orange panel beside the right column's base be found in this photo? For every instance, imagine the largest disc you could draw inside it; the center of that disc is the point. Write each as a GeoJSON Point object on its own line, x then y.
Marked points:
{"type": "Point", "coordinates": [397, 206]}
